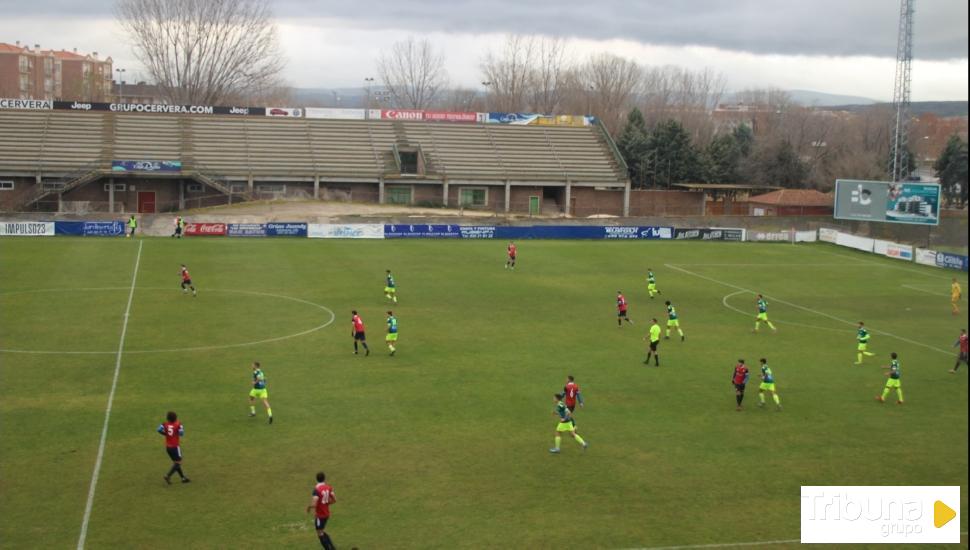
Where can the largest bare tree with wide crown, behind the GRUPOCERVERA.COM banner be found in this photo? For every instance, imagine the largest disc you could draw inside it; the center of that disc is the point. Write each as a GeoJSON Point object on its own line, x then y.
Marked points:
{"type": "Point", "coordinates": [204, 51]}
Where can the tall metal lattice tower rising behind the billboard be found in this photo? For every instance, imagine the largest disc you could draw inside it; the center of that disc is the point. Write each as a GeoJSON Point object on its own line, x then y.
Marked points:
{"type": "Point", "coordinates": [901, 93]}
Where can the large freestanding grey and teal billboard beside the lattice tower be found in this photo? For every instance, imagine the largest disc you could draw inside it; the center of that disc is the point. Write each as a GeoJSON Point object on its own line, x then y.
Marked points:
{"type": "Point", "coordinates": [881, 201]}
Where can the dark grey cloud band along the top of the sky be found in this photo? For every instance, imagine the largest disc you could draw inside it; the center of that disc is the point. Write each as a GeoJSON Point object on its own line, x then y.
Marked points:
{"type": "Point", "coordinates": [786, 27]}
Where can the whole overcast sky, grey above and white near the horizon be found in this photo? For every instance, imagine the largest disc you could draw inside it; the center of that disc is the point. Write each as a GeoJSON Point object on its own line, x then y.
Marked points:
{"type": "Point", "coordinates": [845, 47]}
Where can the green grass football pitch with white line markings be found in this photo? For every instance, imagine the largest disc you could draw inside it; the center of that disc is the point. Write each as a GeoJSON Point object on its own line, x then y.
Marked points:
{"type": "Point", "coordinates": [446, 444]}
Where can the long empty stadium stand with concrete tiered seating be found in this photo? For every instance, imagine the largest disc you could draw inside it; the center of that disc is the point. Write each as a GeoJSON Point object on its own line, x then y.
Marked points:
{"type": "Point", "coordinates": [56, 154]}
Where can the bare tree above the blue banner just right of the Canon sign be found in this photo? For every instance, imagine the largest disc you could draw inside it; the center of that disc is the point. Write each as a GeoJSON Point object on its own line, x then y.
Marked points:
{"type": "Point", "coordinates": [509, 74]}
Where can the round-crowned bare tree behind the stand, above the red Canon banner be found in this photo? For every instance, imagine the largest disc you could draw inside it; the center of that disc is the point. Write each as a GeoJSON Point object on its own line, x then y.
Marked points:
{"type": "Point", "coordinates": [413, 72]}
